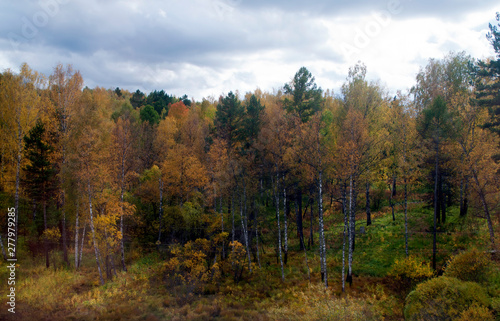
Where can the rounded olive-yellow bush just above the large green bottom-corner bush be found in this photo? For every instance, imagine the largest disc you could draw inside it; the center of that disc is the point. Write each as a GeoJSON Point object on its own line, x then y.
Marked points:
{"type": "Point", "coordinates": [473, 266]}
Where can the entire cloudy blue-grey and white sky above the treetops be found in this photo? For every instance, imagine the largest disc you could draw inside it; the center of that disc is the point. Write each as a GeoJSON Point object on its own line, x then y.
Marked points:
{"type": "Point", "coordinates": [206, 48]}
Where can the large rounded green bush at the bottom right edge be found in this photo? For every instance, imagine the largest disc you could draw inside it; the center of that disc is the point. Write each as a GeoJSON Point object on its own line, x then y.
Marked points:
{"type": "Point", "coordinates": [443, 298]}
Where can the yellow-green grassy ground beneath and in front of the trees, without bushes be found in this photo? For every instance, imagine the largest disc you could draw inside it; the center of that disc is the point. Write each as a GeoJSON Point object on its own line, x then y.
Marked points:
{"type": "Point", "coordinates": [143, 294]}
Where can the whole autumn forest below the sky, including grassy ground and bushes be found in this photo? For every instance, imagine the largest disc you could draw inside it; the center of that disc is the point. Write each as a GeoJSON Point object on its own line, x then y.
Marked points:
{"type": "Point", "coordinates": [295, 204]}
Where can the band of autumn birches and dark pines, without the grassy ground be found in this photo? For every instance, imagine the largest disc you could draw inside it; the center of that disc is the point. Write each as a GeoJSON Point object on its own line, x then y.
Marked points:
{"type": "Point", "coordinates": [157, 169]}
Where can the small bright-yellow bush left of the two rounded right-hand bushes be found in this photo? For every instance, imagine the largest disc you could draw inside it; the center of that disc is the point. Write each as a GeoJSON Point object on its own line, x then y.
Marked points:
{"type": "Point", "coordinates": [408, 272]}
